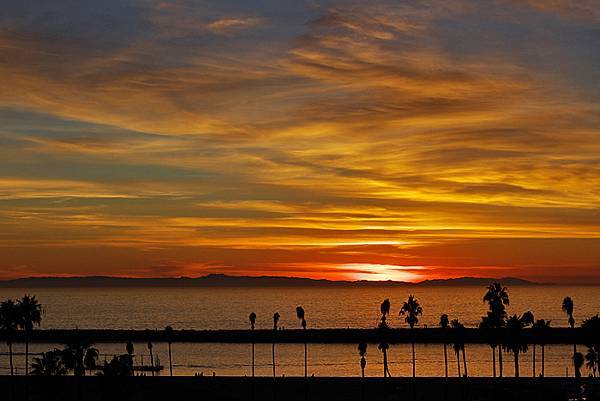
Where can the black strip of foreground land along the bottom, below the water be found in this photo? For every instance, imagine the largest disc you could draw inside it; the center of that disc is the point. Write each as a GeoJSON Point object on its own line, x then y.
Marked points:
{"type": "Point", "coordinates": [92, 388]}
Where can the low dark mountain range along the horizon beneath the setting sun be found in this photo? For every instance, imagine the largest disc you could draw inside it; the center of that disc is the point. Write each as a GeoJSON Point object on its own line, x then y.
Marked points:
{"type": "Point", "coordinates": [223, 280]}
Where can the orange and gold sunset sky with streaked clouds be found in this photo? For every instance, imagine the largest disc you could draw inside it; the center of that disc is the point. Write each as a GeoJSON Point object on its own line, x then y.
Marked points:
{"type": "Point", "coordinates": [331, 139]}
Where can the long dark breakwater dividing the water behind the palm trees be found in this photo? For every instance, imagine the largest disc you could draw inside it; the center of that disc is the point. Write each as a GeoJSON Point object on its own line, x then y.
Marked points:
{"type": "Point", "coordinates": [340, 336]}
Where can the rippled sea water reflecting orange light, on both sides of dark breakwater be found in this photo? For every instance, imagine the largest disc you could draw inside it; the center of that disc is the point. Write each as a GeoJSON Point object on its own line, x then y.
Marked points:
{"type": "Point", "coordinates": [202, 308]}
